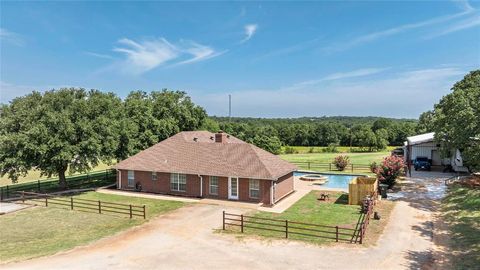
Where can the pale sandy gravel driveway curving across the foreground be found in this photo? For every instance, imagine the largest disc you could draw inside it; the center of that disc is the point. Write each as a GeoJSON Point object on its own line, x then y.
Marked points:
{"type": "Point", "coordinates": [185, 239]}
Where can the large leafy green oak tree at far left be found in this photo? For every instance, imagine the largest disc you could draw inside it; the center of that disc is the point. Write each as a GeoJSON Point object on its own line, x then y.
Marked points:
{"type": "Point", "coordinates": [59, 130]}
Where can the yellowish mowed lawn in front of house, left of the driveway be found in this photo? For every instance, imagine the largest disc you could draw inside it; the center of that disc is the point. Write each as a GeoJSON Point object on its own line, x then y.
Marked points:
{"type": "Point", "coordinates": [41, 231]}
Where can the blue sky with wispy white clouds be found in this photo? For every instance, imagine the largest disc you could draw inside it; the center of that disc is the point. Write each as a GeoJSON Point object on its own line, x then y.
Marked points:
{"type": "Point", "coordinates": [276, 59]}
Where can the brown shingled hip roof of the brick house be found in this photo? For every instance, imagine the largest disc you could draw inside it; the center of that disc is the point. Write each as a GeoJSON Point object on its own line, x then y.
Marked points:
{"type": "Point", "coordinates": [196, 152]}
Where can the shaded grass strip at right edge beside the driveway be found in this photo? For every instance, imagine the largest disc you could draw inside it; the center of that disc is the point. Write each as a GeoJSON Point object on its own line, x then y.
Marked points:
{"type": "Point", "coordinates": [461, 212]}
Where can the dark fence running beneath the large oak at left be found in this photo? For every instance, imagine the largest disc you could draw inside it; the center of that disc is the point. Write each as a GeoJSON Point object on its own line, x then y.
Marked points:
{"type": "Point", "coordinates": [93, 179]}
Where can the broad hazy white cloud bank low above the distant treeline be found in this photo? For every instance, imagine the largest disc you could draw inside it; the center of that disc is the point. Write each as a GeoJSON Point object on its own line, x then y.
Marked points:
{"type": "Point", "coordinates": [403, 94]}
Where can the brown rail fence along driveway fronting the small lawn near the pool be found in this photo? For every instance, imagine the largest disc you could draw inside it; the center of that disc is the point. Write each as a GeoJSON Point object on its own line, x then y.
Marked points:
{"type": "Point", "coordinates": [288, 228]}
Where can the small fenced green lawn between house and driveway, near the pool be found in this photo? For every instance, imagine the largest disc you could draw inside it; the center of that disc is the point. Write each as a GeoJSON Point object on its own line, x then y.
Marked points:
{"type": "Point", "coordinates": [309, 209]}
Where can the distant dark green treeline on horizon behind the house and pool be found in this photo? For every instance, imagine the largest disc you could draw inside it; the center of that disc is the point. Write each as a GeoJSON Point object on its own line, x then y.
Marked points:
{"type": "Point", "coordinates": [371, 133]}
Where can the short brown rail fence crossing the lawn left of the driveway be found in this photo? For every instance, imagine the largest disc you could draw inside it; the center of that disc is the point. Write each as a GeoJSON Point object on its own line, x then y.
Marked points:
{"type": "Point", "coordinates": [83, 204]}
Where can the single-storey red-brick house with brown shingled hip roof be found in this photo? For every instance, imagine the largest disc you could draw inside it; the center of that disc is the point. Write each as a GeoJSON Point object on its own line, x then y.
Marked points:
{"type": "Point", "coordinates": [208, 165]}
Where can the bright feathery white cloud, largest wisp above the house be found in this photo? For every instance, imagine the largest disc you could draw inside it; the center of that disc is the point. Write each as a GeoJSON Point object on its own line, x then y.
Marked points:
{"type": "Point", "coordinates": [142, 56]}
